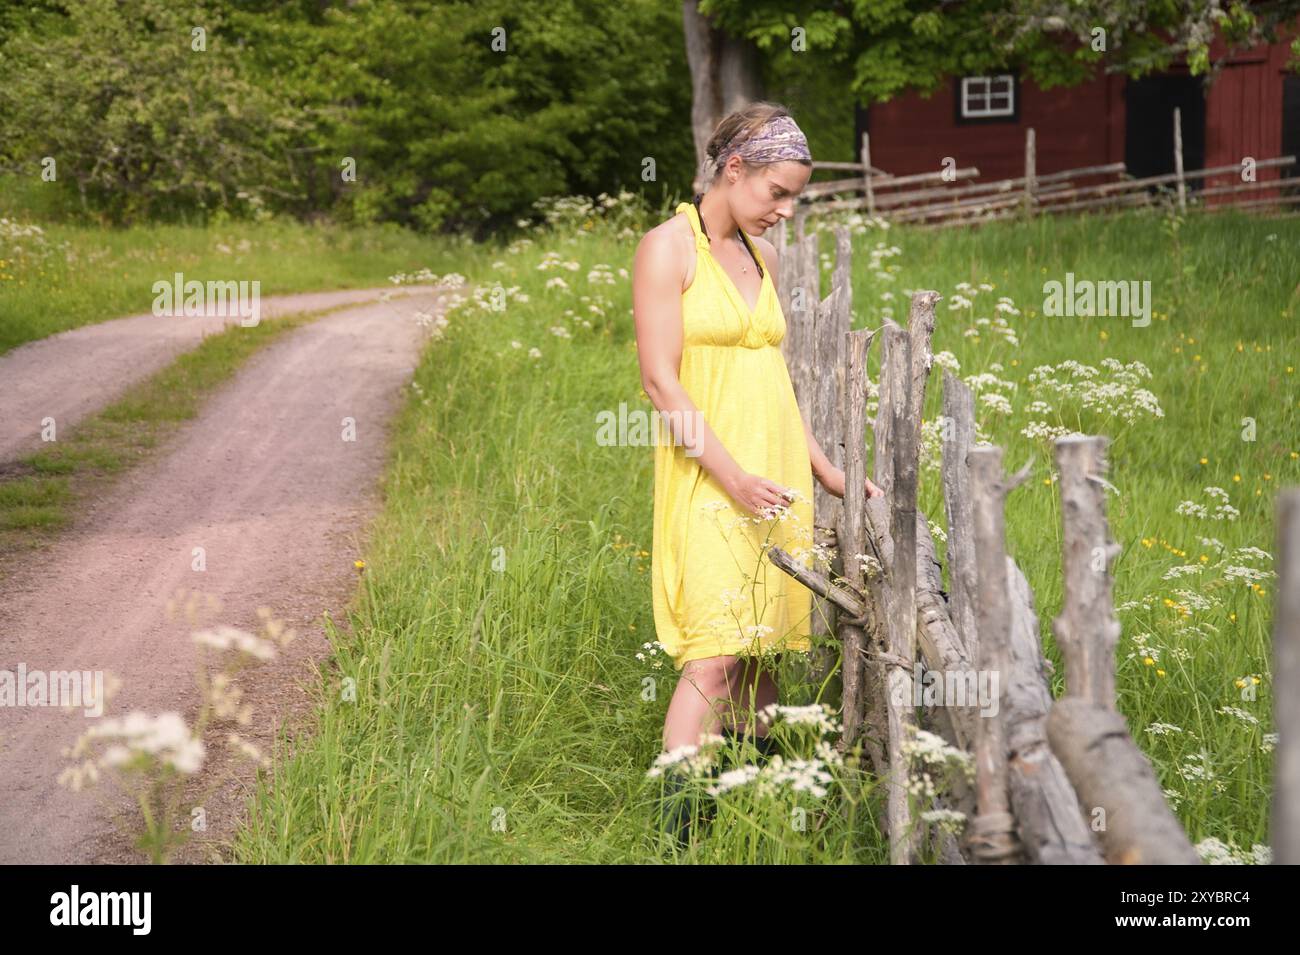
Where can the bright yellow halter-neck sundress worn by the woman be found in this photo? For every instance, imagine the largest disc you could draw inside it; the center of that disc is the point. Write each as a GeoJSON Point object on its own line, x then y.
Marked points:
{"type": "Point", "coordinates": [716, 592]}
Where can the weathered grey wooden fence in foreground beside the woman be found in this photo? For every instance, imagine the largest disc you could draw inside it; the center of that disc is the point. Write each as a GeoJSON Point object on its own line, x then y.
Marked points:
{"type": "Point", "coordinates": [1058, 780]}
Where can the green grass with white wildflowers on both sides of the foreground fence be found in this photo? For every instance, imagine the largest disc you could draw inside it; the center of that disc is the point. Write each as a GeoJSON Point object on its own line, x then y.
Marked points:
{"type": "Point", "coordinates": [487, 702]}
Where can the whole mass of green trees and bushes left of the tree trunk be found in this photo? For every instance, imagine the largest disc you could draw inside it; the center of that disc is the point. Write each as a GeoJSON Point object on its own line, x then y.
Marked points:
{"type": "Point", "coordinates": [441, 128]}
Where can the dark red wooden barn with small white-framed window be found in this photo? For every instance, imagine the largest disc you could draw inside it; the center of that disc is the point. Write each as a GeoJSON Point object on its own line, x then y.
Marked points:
{"type": "Point", "coordinates": [1251, 110]}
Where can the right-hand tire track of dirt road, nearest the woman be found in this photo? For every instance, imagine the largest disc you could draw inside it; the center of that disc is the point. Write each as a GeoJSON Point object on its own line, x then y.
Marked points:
{"type": "Point", "coordinates": [266, 484]}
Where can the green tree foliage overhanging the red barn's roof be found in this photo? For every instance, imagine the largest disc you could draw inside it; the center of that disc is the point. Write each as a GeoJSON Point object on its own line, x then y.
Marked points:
{"type": "Point", "coordinates": [883, 47]}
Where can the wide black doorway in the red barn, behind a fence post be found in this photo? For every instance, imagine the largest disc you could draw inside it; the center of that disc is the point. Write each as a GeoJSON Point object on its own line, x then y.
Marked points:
{"type": "Point", "coordinates": [1150, 125]}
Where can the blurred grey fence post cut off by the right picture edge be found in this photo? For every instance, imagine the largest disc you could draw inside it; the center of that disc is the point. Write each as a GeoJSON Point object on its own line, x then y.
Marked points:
{"type": "Point", "coordinates": [1286, 676]}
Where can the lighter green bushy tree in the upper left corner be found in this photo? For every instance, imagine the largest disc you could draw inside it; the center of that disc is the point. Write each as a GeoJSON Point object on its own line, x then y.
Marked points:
{"type": "Point", "coordinates": [136, 118]}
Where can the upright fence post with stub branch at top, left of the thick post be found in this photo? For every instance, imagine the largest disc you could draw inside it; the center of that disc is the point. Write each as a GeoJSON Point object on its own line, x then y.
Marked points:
{"type": "Point", "coordinates": [993, 837]}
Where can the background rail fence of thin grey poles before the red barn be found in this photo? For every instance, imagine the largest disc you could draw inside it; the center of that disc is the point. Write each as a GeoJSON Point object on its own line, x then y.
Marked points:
{"type": "Point", "coordinates": [955, 197]}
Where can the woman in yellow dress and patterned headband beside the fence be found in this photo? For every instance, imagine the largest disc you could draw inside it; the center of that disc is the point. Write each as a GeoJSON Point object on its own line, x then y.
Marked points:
{"type": "Point", "coordinates": [709, 331]}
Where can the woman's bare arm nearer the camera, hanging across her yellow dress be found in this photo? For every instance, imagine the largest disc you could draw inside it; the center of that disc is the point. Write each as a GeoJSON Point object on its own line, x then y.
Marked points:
{"type": "Point", "coordinates": [657, 275]}
